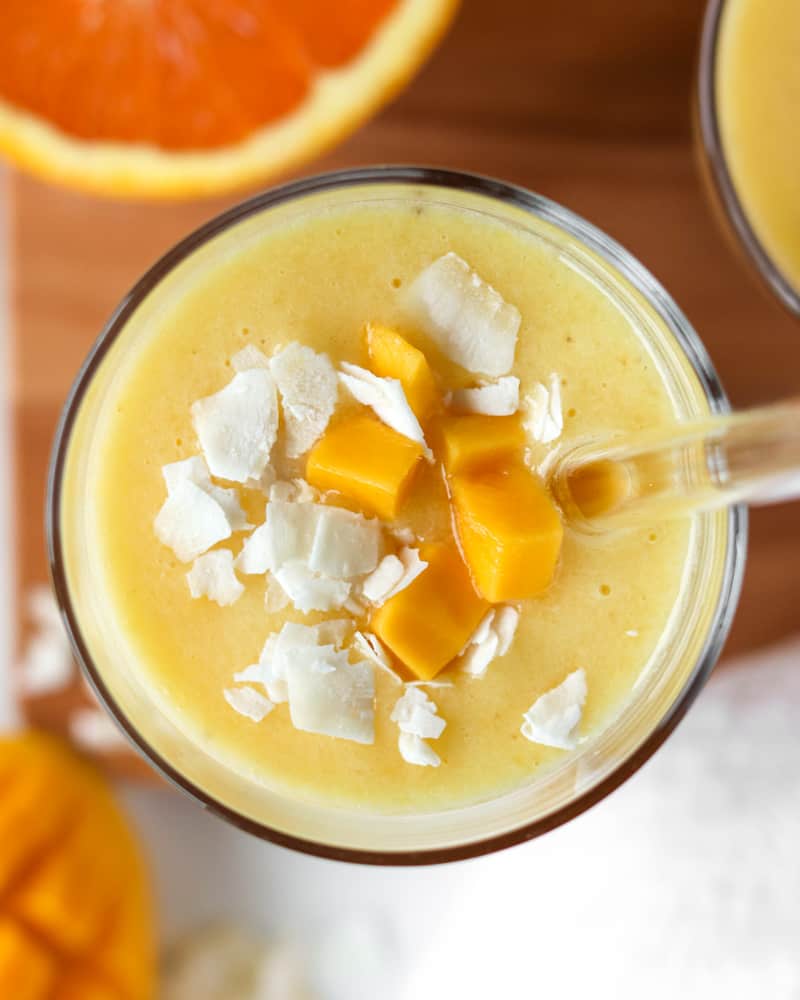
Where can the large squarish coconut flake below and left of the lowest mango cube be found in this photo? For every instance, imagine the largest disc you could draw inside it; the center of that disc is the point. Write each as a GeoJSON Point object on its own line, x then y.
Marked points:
{"type": "Point", "coordinates": [330, 696]}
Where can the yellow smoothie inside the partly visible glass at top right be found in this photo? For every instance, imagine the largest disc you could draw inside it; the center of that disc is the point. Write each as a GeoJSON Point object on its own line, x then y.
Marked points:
{"type": "Point", "coordinates": [758, 105]}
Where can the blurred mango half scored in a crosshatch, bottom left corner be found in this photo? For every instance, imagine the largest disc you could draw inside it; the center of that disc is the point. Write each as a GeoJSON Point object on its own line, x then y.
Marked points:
{"type": "Point", "coordinates": [76, 916]}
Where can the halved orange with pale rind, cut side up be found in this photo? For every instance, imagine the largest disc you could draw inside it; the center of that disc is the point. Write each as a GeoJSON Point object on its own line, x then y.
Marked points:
{"type": "Point", "coordinates": [176, 98]}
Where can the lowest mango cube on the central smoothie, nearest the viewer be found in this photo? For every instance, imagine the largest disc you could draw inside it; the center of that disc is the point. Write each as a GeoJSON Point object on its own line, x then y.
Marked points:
{"type": "Point", "coordinates": [428, 624]}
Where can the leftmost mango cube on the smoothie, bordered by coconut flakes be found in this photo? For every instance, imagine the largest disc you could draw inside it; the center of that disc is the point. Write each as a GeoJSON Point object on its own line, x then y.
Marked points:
{"type": "Point", "coordinates": [366, 461]}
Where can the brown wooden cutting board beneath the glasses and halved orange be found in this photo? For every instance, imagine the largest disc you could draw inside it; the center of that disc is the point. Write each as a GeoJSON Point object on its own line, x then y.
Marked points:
{"type": "Point", "coordinates": [587, 103]}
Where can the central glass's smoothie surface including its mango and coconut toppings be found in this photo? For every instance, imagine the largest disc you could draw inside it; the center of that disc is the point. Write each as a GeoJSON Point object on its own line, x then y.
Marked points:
{"type": "Point", "coordinates": [319, 517]}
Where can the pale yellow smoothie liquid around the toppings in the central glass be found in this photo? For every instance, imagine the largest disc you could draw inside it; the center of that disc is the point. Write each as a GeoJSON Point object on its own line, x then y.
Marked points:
{"type": "Point", "coordinates": [317, 279]}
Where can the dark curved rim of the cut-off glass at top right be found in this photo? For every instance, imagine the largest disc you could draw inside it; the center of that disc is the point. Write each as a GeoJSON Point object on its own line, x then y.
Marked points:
{"type": "Point", "coordinates": [718, 173]}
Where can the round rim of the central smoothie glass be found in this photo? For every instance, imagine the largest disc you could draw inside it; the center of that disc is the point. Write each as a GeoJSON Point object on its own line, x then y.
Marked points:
{"type": "Point", "coordinates": [543, 208]}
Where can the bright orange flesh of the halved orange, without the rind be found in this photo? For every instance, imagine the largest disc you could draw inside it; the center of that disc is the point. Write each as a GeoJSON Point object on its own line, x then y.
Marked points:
{"type": "Point", "coordinates": [178, 74]}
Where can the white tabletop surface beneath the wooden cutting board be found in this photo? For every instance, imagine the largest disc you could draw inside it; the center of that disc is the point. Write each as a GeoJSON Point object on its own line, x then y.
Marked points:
{"type": "Point", "coordinates": [685, 883]}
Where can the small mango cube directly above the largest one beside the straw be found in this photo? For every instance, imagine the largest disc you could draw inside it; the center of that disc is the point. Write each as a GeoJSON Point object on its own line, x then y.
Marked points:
{"type": "Point", "coordinates": [474, 441]}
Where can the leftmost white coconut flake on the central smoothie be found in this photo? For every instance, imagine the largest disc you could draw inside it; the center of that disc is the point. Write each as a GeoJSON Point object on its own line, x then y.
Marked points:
{"type": "Point", "coordinates": [190, 521]}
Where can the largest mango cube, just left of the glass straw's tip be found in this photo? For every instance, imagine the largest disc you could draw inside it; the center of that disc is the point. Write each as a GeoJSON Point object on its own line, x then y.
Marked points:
{"type": "Point", "coordinates": [510, 531]}
